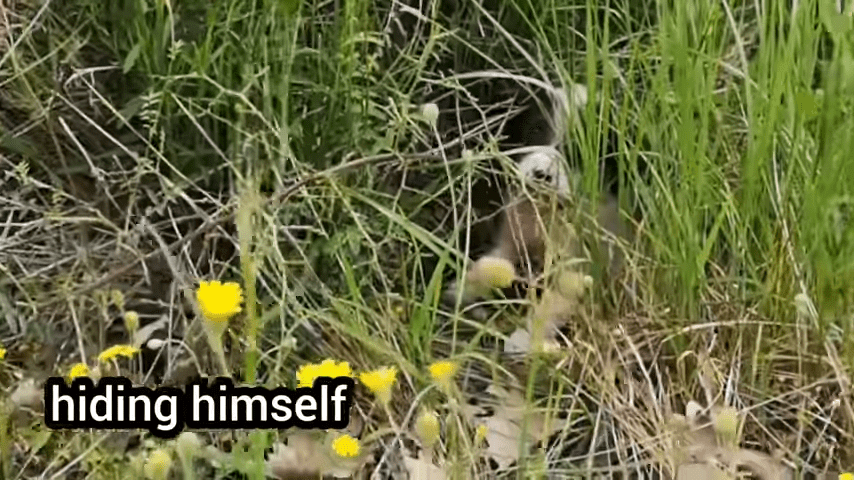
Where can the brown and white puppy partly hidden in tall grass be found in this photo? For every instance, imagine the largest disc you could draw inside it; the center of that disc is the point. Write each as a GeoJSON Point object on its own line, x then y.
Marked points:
{"type": "Point", "coordinates": [534, 222]}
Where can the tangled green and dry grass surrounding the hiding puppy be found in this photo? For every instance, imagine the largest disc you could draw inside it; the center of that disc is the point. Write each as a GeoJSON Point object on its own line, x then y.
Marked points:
{"type": "Point", "coordinates": [271, 128]}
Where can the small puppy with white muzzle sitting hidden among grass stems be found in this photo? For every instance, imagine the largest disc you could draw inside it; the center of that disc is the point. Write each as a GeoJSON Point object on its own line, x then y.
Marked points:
{"type": "Point", "coordinates": [535, 235]}
